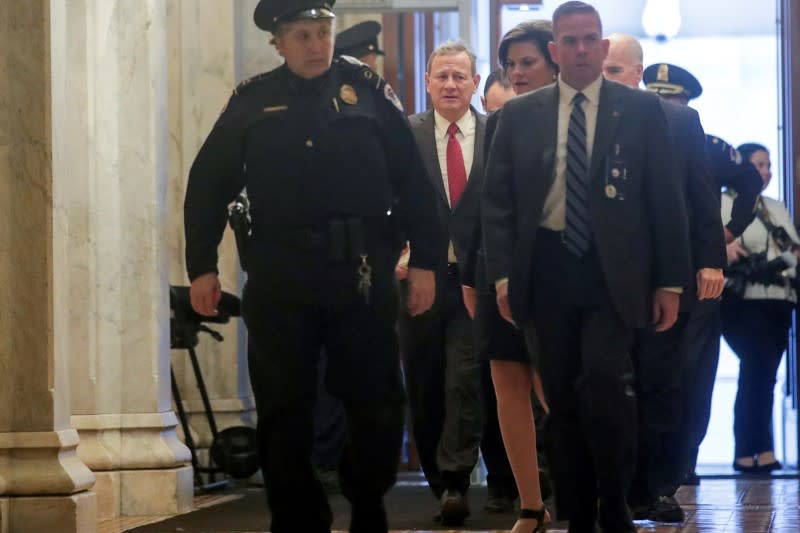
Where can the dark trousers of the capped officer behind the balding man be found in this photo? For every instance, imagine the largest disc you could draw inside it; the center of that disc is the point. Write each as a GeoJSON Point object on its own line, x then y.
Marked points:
{"type": "Point", "coordinates": [700, 347]}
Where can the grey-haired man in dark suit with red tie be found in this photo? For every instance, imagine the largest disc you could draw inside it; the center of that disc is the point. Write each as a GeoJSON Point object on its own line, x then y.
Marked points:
{"type": "Point", "coordinates": [441, 370]}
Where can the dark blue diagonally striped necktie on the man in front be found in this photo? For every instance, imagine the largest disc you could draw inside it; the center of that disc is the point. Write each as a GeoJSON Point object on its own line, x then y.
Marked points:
{"type": "Point", "coordinates": [577, 236]}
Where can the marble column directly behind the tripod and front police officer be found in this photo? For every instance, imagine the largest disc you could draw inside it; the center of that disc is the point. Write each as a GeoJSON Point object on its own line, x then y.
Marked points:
{"type": "Point", "coordinates": [202, 74]}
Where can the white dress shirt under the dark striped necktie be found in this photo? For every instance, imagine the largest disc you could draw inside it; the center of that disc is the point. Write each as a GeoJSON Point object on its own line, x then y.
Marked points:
{"type": "Point", "coordinates": [555, 204]}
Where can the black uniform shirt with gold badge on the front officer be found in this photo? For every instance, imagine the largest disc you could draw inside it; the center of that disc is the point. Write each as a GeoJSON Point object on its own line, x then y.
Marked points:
{"type": "Point", "coordinates": [308, 151]}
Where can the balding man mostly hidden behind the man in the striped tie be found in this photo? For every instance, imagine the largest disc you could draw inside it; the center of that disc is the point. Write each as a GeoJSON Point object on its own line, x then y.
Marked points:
{"type": "Point", "coordinates": [658, 357]}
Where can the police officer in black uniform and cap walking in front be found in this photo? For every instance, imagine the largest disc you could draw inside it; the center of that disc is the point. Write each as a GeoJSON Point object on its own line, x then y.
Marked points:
{"type": "Point", "coordinates": [336, 186]}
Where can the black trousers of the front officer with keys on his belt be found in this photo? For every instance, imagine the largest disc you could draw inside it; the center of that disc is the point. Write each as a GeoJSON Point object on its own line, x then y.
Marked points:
{"type": "Point", "coordinates": [285, 339]}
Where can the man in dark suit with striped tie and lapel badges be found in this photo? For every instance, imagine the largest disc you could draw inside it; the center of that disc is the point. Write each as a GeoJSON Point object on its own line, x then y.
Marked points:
{"type": "Point", "coordinates": [586, 239]}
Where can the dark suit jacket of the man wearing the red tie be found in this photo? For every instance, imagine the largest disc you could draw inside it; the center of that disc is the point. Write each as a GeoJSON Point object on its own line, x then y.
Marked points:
{"type": "Point", "coordinates": [459, 222]}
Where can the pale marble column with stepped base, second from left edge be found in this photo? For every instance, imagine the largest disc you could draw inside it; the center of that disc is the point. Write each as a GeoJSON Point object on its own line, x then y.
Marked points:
{"type": "Point", "coordinates": [115, 160]}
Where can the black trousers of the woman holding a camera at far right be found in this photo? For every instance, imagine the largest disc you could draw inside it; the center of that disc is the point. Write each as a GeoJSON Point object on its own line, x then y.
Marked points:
{"type": "Point", "coordinates": [757, 331]}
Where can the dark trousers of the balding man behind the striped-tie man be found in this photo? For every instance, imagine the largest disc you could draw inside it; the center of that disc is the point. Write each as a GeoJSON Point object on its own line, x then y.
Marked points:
{"type": "Point", "coordinates": [658, 360]}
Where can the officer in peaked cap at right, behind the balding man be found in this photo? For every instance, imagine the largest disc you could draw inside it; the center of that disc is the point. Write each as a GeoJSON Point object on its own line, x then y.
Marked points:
{"type": "Point", "coordinates": [701, 337]}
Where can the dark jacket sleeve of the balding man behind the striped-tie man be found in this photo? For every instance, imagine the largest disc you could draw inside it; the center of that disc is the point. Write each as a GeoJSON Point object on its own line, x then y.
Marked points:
{"type": "Point", "coordinates": [693, 169]}
